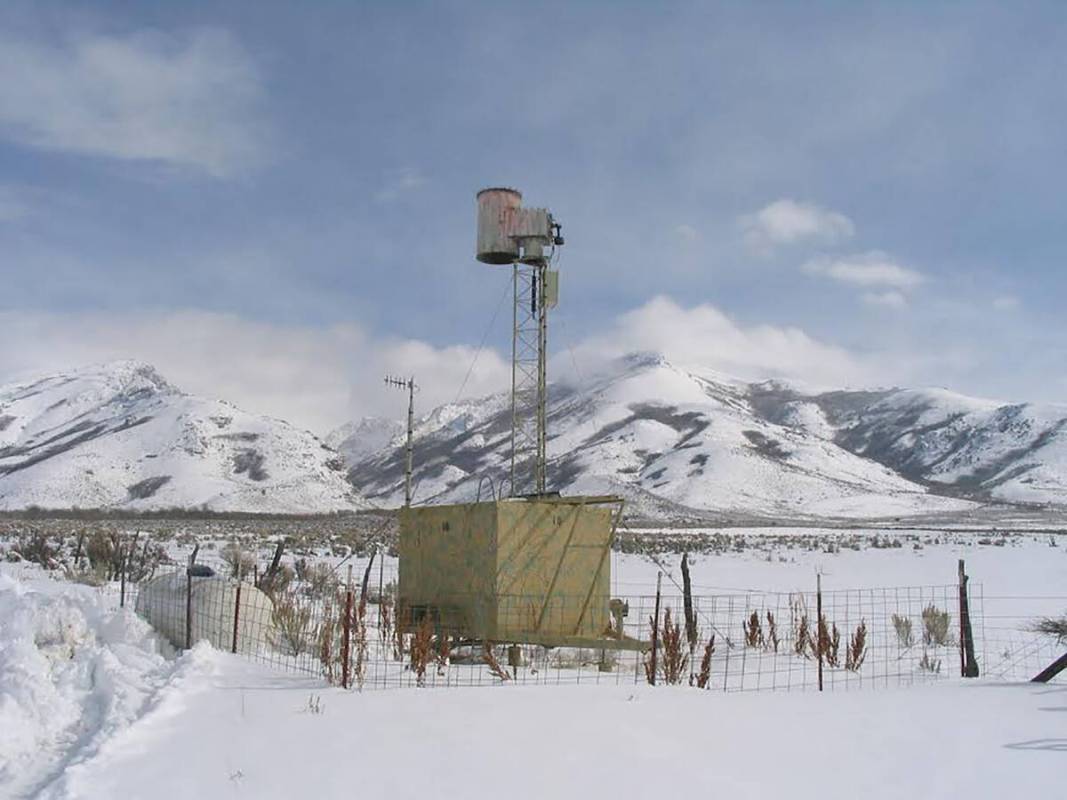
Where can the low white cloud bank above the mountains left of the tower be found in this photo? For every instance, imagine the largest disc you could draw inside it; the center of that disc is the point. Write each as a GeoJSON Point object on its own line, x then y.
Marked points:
{"type": "Point", "coordinates": [316, 378]}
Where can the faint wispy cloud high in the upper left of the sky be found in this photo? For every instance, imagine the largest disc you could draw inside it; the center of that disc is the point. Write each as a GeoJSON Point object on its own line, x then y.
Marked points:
{"type": "Point", "coordinates": [182, 101]}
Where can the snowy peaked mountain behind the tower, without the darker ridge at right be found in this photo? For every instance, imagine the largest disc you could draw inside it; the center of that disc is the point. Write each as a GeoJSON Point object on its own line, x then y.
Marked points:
{"type": "Point", "coordinates": [656, 433]}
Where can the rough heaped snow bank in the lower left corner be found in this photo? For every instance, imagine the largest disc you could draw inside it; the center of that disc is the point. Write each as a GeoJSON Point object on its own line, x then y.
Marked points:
{"type": "Point", "coordinates": [71, 674]}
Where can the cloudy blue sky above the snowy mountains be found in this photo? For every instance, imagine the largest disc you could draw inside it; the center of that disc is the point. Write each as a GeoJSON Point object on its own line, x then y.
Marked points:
{"type": "Point", "coordinates": [274, 203]}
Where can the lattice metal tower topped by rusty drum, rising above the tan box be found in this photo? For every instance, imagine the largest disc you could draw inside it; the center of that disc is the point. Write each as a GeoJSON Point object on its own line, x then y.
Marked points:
{"type": "Point", "coordinates": [509, 234]}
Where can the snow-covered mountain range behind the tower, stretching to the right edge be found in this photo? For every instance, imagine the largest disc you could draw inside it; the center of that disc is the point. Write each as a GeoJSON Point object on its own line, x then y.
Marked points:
{"type": "Point", "coordinates": [677, 440]}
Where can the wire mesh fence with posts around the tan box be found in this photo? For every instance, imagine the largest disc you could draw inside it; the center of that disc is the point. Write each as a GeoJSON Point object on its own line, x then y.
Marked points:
{"type": "Point", "coordinates": [358, 636]}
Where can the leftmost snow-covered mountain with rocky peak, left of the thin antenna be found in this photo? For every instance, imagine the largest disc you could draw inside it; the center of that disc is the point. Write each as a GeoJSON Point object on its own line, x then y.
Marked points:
{"type": "Point", "coordinates": [119, 436]}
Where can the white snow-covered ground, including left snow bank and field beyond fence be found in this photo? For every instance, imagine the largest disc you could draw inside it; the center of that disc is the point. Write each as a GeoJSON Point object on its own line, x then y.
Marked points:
{"type": "Point", "coordinates": [94, 706]}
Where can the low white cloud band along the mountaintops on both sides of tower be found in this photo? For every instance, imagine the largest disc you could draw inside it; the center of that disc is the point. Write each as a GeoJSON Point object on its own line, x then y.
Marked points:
{"type": "Point", "coordinates": [322, 377]}
